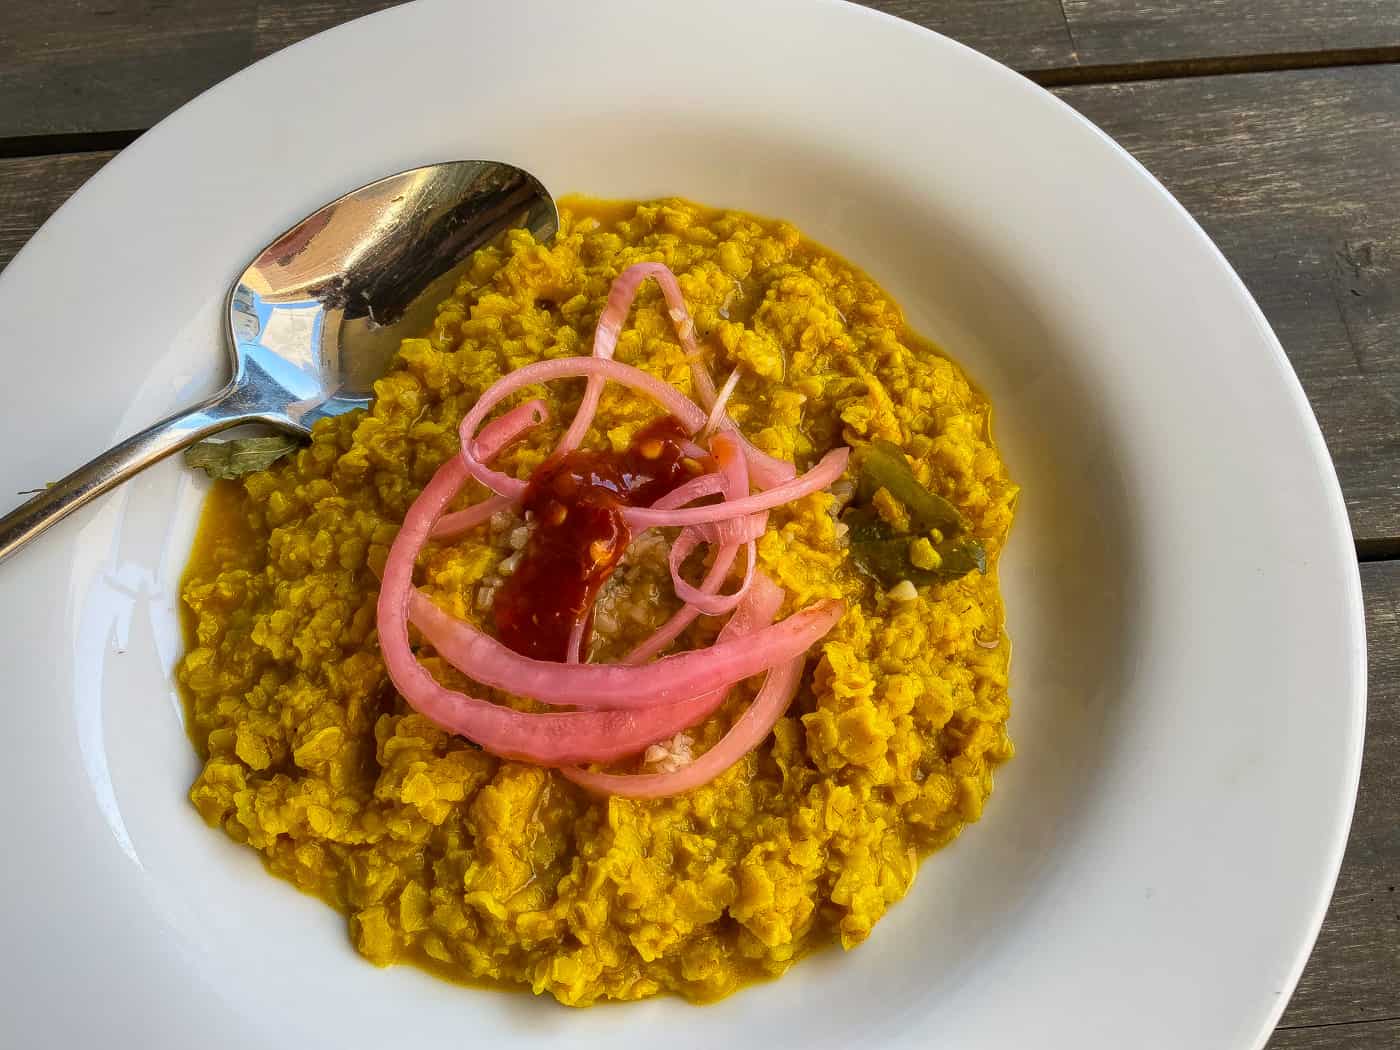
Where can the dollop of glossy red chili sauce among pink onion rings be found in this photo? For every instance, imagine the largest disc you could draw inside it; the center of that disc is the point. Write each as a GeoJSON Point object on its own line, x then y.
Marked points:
{"type": "Point", "coordinates": [580, 535]}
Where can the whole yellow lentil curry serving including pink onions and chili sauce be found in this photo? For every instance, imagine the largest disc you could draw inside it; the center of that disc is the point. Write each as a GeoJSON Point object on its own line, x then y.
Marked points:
{"type": "Point", "coordinates": [640, 639]}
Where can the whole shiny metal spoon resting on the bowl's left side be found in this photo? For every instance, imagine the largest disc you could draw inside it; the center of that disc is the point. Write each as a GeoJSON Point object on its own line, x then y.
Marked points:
{"type": "Point", "coordinates": [318, 316]}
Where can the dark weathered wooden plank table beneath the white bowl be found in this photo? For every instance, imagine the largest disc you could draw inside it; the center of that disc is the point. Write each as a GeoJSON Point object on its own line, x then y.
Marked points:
{"type": "Point", "coordinates": [1276, 122]}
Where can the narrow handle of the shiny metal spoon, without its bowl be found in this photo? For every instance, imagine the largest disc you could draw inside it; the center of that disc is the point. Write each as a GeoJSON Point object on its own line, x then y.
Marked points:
{"type": "Point", "coordinates": [120, 463]}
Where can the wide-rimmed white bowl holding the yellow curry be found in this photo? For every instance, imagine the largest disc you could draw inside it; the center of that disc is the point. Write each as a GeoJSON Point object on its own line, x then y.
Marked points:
{"type": "Point", "coordinates": [1189, 668]}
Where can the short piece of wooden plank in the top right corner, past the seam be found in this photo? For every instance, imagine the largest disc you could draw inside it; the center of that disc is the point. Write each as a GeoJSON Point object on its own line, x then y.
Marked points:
{"type": "Point", "coordinates": [1125, 31]}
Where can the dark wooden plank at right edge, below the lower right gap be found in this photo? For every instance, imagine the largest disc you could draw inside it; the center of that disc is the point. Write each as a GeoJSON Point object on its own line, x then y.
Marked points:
{"type": "Point", "coordinates": [1354, 971]}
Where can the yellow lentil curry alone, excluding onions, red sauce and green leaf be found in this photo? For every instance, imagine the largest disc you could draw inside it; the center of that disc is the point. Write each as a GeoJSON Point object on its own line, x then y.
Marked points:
{"type": "Point", "coordinates": [503, 871]}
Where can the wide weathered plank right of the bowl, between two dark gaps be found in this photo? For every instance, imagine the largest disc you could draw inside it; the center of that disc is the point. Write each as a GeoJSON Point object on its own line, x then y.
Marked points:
{"type": "Point", "coordinates": [1297, 177]}
